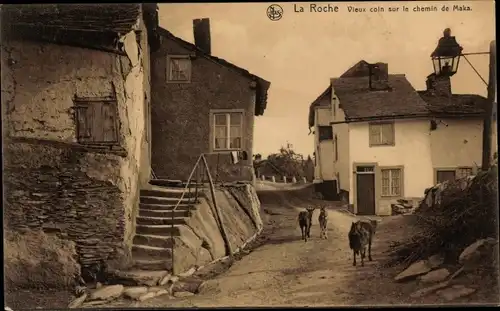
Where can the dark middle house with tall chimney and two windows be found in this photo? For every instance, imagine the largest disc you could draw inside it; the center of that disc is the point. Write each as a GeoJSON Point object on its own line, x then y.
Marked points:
{"type": "Point", "coordinates": [202, 104]}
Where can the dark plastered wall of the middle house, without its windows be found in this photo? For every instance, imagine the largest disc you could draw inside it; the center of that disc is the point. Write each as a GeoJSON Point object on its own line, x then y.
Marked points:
{"type": "Point", "coordinates": [180, 115]}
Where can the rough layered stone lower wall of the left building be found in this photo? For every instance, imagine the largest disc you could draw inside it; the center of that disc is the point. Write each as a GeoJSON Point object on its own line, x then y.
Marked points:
{"type": "Point", "coordinates": [53, 188]}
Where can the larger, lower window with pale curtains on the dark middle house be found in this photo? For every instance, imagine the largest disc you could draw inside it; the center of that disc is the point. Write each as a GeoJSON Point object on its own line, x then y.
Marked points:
{"type": "Point", "coordinates": [227, 130]}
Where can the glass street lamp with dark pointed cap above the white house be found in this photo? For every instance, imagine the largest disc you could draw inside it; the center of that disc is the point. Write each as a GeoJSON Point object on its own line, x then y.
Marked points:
{"type": "Point", "coordinates": [446, 56]}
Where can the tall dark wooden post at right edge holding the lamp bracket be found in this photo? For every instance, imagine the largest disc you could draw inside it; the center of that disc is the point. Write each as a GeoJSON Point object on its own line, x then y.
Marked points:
{"type": "Point", "coordinates": [487, 123]}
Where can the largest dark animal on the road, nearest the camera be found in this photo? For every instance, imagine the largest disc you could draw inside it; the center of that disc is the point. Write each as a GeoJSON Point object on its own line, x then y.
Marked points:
{"type": "Point", "coordinates": [361, 237]}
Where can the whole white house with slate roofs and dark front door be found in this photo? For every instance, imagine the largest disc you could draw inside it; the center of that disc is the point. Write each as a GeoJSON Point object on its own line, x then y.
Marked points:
{"type": "Point", "coordinates": [386, 141]}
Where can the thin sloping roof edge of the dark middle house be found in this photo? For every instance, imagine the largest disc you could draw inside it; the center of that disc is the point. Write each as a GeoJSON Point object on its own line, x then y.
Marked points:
{"type": "Point", "coordinates": [262, 85]}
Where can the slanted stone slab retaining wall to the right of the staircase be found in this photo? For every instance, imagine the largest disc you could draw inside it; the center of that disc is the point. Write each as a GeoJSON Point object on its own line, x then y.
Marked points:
{"type": "Point", "coordinates": [201, 240]}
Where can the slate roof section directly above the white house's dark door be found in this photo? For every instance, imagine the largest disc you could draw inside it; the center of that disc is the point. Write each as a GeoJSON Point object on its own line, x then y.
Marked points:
{"type": "Point", "coordinates": [359, 102]}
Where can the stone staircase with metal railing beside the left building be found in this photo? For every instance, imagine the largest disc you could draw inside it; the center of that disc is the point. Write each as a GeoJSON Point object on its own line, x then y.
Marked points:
{"type": "Point", "coordinates": [151, 249]}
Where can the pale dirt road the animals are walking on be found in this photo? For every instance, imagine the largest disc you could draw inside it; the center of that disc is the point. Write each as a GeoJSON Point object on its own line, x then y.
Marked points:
{"type": "Point", "coordinates": [286, 271]}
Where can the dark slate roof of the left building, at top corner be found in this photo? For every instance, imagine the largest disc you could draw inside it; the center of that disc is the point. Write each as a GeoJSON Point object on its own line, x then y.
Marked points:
{"type": "Point", "coordinates": [87, 25]}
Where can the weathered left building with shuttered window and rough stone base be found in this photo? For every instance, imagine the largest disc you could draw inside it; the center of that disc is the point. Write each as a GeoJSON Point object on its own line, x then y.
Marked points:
{"type": "Point", "coordinates": [76, 121]}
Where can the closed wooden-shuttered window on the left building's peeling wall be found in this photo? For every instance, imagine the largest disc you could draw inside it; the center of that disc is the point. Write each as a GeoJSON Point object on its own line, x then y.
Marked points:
{"type": "Point", "coordinates": [96, 121]}
